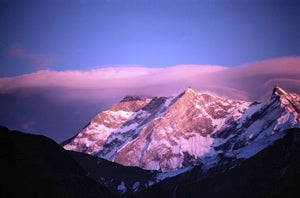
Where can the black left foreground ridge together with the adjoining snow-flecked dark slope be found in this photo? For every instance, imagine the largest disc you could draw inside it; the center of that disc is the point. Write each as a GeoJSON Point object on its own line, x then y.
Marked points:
{"type": "Point", "coordinates": [36, 166]}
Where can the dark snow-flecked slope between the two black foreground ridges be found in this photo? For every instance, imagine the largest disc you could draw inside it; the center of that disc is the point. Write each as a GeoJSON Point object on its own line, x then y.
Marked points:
{"type": "Point", "coordinates": [121, 180]}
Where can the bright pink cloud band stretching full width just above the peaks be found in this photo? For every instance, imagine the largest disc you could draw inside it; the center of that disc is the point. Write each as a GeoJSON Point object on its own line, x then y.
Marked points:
{"type": "Point", "coordinates": [248, 82]}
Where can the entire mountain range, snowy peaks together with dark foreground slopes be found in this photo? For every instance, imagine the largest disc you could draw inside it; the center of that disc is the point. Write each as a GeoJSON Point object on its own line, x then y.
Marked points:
{"type": "Point", "coordinates": [194, 144]}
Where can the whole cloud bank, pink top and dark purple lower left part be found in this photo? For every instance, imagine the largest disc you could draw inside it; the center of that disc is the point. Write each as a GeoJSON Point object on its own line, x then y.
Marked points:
{"type": "Point", "coordinates": [59, 103]}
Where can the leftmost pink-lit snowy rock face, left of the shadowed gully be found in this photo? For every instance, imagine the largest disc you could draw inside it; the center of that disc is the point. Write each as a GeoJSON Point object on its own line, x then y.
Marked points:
{"type": "Point", "coordinates": [96, 133]}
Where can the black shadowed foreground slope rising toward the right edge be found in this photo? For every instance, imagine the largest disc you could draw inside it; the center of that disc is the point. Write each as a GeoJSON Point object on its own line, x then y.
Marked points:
{"type": "Point", "coordinates": [273, 172]}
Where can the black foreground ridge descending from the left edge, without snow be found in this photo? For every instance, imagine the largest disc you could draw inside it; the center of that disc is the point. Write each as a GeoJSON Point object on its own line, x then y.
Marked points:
{"type": "Point", "coordinates": [36, 166]}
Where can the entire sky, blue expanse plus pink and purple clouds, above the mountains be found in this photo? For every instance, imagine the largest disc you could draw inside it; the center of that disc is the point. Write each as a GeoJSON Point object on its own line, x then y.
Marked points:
{"type": "Point", "coordinates": [80, 57]}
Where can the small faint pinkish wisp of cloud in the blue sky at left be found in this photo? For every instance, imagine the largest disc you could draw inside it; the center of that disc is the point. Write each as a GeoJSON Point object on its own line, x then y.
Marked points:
{"type": "Point", "coordinates": [35, 60]}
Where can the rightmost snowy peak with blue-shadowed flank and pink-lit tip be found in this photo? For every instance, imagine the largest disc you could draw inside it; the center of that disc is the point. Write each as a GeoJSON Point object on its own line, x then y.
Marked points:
{"type": "Point", "coordinates": [259, 126]}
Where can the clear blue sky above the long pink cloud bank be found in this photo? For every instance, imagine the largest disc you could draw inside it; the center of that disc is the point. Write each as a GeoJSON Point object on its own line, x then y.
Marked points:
{"type": "Point", "coordinates": [87, 34]}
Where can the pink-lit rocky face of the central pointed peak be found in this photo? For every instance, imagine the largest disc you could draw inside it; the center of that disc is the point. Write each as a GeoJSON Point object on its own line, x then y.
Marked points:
{"type": "Point", "coordinates": [176, 138]}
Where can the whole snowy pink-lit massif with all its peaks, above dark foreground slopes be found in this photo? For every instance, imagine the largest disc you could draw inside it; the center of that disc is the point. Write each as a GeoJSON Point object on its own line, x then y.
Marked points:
{"type": "Point", "coordinates": [171, 133]}
